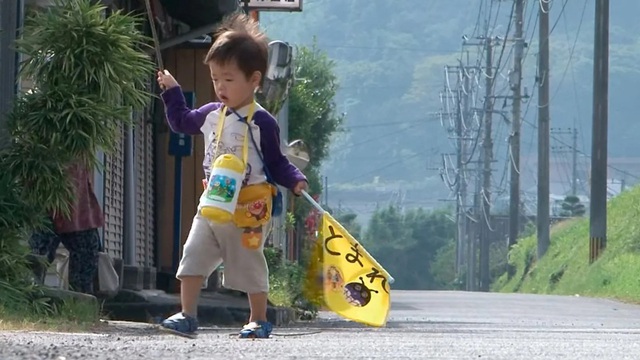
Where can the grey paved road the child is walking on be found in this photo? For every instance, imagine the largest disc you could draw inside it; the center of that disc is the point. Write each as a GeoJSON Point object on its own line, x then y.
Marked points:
{"type": "Point", "coordinates": [423, 325]}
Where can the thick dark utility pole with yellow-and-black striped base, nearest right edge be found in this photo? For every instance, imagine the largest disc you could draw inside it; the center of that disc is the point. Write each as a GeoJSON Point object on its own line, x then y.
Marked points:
{"type": "Point", "coordinates": [599, 153]}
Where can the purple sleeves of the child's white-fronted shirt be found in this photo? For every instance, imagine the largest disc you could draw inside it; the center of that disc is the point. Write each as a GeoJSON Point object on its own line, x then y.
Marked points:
{"type": "Point", "coordinates": [184, 120]}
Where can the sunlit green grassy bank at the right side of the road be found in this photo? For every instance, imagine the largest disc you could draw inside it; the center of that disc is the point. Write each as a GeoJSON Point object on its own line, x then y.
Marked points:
{"type": "Point", "coordinates": [565, 269]}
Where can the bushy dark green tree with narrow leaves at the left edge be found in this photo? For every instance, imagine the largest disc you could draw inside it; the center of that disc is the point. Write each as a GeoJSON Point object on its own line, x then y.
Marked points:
{"type": "Point", "coordinates": [90, 73]}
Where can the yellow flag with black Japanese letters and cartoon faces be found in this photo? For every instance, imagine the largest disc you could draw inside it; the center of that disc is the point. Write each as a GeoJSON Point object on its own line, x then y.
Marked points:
{"type": "Point", "coordinates": [355, 285]}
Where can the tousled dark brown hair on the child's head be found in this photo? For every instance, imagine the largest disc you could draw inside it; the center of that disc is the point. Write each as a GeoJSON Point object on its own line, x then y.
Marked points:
{"type": "Point", "coordinates": [239, 39]}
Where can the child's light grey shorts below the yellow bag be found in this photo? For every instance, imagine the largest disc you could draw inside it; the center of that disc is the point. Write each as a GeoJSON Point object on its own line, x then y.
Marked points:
{"type": "Point", "coordinates": [240, 249]}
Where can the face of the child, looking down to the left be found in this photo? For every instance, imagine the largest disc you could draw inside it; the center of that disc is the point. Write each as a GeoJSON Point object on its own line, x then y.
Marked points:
{"type": "Point", "coordinates": [232, 86]}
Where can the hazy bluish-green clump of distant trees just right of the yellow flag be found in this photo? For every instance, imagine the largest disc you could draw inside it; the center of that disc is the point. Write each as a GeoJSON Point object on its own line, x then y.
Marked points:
{"type": "Point", "coordinates": [406, 244]}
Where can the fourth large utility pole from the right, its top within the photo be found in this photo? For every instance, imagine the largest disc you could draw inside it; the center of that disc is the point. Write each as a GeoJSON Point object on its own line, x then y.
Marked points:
{"type": "Point", "coordinates": [485, 194]}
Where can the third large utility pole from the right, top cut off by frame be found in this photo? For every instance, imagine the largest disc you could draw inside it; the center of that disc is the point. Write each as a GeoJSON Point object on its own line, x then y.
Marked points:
{"type": "Point", "coordinates": [514, 143]}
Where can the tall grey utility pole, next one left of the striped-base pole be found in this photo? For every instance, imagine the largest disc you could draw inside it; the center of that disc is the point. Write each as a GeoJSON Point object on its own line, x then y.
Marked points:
{"type": "Point", "coordinates": [543, 131]}
